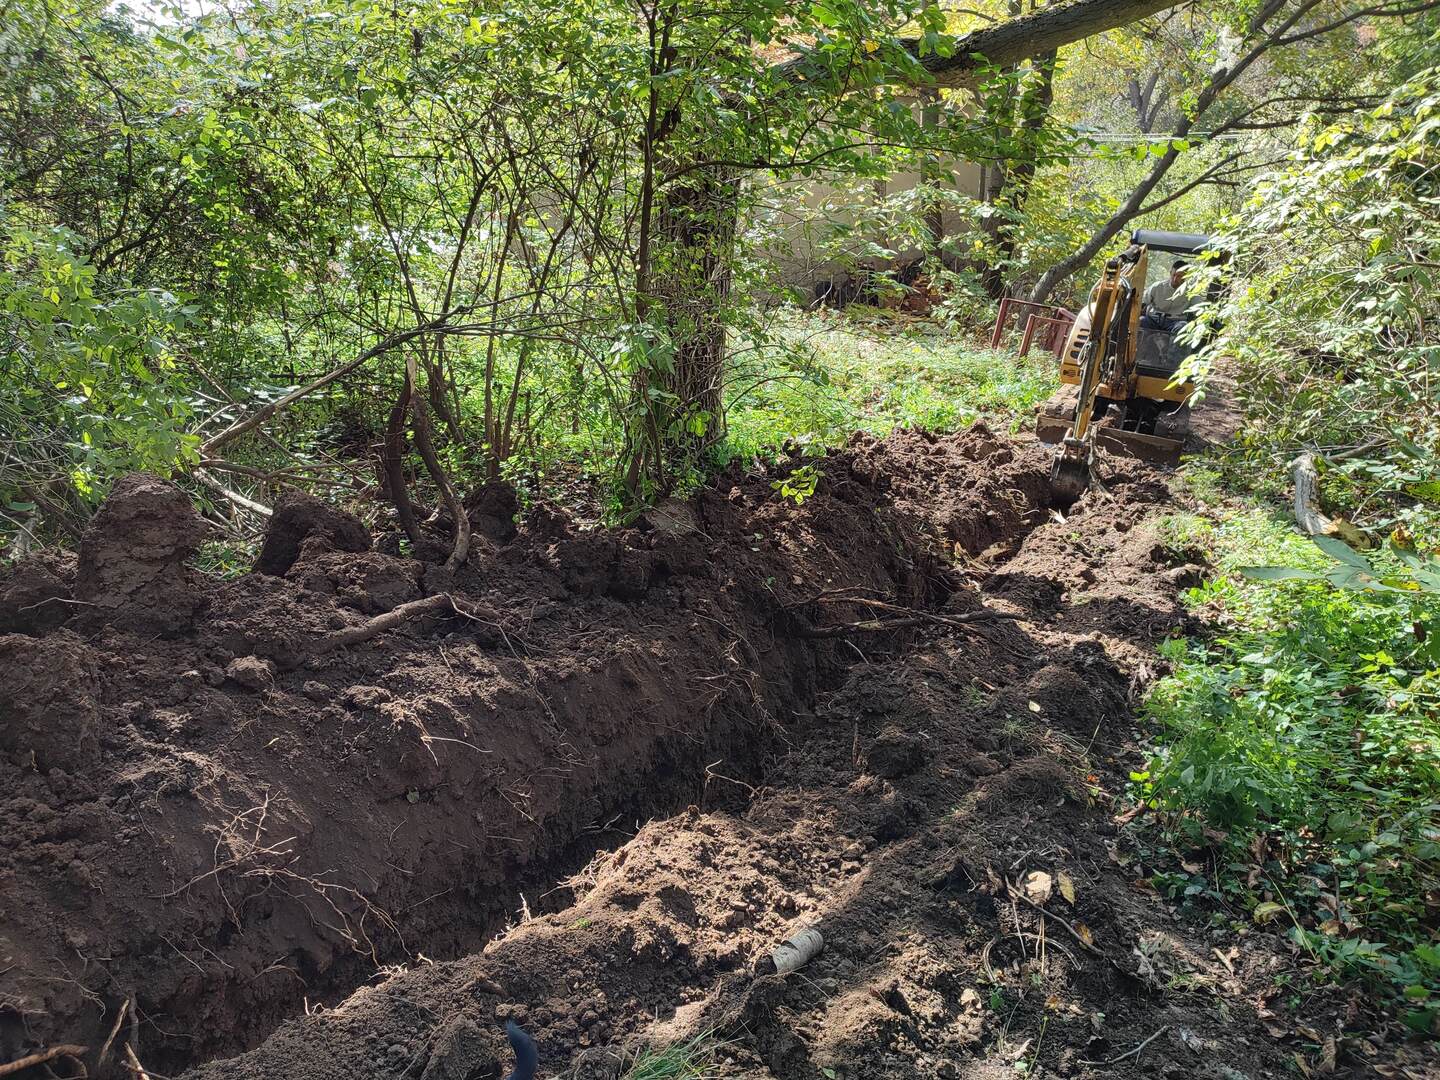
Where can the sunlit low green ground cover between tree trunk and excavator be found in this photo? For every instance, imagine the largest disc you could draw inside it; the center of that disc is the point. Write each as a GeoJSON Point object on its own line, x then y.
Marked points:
{"type": "Point", "coordinates": [824, 377]}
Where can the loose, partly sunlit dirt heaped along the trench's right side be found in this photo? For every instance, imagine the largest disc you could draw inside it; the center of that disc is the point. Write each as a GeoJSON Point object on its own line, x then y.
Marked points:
{"type": "Point", "coordinates": [941, 820]}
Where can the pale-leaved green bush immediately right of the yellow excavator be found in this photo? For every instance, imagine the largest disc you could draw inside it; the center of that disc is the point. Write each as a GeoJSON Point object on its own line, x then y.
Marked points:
{"type": "Point", "coordinates": [1334, 315]}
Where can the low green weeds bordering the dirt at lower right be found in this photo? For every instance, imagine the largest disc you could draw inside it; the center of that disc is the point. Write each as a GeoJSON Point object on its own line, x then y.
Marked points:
{"type": "Point", "coordinates": [1301, 747]}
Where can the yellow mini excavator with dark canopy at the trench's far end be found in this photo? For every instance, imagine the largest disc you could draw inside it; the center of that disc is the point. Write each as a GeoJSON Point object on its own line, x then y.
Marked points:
{"type": "Point", "coordinates": [1124, 366]}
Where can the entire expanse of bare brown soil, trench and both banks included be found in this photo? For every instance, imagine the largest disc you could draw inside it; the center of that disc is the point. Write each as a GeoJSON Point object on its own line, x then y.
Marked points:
{"type": "Point", "coordinates": [211, 816]}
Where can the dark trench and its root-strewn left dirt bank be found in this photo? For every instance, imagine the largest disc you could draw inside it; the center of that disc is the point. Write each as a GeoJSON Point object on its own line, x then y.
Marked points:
{"type": "Point", "coordinates": [217, 819]}
